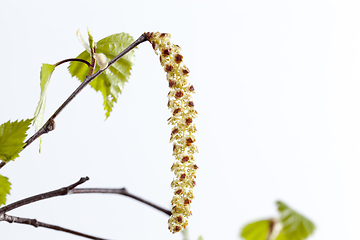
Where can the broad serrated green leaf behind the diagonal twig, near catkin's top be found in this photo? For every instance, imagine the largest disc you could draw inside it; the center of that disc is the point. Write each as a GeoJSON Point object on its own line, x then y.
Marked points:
{"type": "Point", "coordinates": [111, 82]}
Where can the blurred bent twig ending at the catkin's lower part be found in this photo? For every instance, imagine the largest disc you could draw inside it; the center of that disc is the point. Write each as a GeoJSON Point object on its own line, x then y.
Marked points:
{"type": "Point", "coordinates": [121, 191]}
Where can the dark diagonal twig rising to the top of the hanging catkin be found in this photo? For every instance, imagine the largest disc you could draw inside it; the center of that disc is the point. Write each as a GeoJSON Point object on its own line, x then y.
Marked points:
{"type": "Point", "coordinates": [50, 124]}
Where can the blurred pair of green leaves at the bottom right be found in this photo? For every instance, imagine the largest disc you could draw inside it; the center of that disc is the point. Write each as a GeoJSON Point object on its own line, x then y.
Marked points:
{"type": "Point", "coordinates": [290, 226]}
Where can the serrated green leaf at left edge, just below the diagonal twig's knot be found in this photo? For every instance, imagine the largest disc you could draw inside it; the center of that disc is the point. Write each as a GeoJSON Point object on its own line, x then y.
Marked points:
{"type": "Point", "coordinates": [12, 136]}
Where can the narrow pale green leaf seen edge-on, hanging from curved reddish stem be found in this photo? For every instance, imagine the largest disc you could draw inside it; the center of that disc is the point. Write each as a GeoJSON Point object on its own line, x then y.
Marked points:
{"type": "Point", "coordinates": [45, 74]}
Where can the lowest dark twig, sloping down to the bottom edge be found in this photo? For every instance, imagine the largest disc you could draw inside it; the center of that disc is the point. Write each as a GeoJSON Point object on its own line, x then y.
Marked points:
{"type": "Point", "coordinates": [36, 223]}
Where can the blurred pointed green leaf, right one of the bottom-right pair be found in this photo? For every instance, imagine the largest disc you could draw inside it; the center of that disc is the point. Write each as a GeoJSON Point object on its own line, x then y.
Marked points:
{"type": "Point", "coordinates": [295, 226]}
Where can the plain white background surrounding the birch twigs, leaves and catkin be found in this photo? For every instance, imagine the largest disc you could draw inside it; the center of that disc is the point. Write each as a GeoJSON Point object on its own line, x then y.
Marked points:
{"type": "Point", "coordinates": [278, 96]}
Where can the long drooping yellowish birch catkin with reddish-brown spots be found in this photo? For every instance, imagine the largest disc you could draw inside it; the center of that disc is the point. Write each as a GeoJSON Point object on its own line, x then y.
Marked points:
{"type": "Point", "coordinates": [183, 113]}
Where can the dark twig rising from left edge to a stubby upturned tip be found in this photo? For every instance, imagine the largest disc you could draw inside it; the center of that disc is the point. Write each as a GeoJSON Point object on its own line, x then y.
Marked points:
{"type": "Point", "coordinates": [42, 196]}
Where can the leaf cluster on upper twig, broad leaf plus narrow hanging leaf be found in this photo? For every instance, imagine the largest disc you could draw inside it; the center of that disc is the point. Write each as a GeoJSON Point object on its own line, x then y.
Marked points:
{"type": "Point", "coordinates": [110, 83]}
